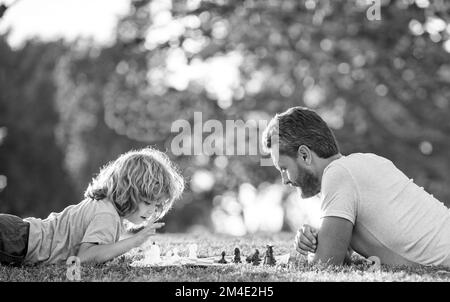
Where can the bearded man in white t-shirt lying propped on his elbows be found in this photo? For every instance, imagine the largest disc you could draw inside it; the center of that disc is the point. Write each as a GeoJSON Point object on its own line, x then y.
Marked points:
{"type": "Point", "coordinates": [368, 205]}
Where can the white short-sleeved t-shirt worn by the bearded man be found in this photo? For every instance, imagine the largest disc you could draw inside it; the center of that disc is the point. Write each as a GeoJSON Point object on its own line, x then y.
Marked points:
{"type": "Point", "coordinates": [393, 218]}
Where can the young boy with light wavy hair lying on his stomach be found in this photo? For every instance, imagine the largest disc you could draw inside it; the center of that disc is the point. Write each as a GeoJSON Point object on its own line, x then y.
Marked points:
{"type": "Point", "coordinates": [140, 186]}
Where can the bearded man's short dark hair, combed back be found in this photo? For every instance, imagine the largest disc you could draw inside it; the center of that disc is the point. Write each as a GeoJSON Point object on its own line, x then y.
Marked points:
{"type": "Point", "coordinates": [300, 126]}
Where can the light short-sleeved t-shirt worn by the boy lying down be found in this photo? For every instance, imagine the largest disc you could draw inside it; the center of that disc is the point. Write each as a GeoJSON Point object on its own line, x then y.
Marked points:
{"type": "Point", "coordinates": [59, 236]}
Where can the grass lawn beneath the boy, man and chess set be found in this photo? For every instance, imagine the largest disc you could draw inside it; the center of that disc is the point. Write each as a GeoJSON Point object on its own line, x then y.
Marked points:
{"type": "Point", "coordinates": [212, 245]}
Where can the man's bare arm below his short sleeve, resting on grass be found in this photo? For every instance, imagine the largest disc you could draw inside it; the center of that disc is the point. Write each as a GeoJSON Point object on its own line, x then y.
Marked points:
{"type": "Point", "coordinates": [334, 239]}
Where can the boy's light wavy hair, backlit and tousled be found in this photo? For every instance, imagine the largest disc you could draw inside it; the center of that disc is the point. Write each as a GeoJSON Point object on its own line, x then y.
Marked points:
{"type": "Point", "coordinates": [145, 175]}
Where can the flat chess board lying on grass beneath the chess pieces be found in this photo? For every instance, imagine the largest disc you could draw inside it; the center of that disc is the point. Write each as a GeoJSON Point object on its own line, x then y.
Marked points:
{"type": "Point", "coordinates": [200, 262]}
